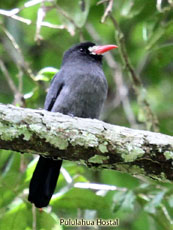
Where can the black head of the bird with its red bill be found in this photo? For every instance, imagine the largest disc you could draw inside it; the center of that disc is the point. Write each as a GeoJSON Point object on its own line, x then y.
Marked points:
{"type": "Point", "coordinates": [87, 51]}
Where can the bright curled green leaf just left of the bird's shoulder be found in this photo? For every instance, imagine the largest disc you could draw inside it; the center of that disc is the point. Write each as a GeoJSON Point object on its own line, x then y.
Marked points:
{"type": "Point", "coordinates": [46, 74]}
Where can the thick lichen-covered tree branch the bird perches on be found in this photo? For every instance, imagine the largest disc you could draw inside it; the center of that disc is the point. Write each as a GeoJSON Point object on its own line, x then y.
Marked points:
{"type": "Point", "coordinates": [92, 142]}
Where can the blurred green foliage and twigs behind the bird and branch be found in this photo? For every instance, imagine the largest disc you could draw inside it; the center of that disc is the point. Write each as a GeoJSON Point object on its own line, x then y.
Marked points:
{"type": "Point", "coordinates": [33, 37]}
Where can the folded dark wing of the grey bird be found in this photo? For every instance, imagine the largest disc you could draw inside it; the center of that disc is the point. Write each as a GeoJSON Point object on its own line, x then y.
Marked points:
{"type": "Point", "coordinates": [54, 90]}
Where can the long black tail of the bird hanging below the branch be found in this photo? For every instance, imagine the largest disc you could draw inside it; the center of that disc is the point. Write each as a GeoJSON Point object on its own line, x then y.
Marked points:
{"type": "Point", "coordinates": [44, 181]}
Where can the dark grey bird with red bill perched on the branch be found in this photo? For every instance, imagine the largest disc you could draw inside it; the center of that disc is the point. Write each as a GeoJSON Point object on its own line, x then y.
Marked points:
{"type": "Point", "coordinates": [78, 89]}
